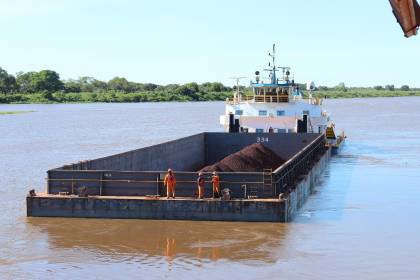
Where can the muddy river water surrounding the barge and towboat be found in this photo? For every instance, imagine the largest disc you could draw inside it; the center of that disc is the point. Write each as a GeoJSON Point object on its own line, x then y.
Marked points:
{"type": "Point", "coordinates": [362, 222]}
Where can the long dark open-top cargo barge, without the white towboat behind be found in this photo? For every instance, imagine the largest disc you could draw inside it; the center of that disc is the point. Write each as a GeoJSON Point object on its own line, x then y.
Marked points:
{"type": "Point", "coordinates": [130, 185]}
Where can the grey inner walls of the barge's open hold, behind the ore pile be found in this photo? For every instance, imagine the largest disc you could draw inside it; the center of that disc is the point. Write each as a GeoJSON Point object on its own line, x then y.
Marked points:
{"type": "Point", "coordinates": [193, 152]}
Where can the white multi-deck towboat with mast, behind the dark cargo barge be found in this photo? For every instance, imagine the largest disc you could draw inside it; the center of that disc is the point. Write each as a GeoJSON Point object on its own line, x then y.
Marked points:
{"type": "Point", "coordinates": [275, 106]}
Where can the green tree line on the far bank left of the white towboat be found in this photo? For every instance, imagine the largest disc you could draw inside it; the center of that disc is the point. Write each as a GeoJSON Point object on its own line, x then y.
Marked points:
{"type": "Point", "coordinates": [47, 85]}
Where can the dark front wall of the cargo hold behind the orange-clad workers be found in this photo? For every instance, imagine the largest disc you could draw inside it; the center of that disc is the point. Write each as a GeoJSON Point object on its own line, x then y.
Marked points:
{"type": "Point", "coordinates": [149, 183]}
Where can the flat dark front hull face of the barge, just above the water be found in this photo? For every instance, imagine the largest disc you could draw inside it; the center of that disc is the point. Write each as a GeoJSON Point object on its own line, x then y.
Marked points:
{"type": "Point", "coordinates": [125, 208]}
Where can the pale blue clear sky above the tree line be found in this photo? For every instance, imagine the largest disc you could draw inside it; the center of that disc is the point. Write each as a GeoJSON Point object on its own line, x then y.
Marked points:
{"type": "Point", "coordinates": [357, 42]}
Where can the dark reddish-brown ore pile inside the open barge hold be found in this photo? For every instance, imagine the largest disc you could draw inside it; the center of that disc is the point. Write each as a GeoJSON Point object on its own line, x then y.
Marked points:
{"type": "Point", "coordinates": [253, 158]}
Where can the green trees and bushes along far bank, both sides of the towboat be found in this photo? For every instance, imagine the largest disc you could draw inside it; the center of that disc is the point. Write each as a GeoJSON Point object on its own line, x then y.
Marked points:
{"type": "Point", "coordinates": [46, 87]}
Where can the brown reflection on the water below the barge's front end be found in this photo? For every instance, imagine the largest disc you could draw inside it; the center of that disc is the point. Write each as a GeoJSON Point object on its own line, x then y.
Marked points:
{"type": "Point", "coordinates": [198, 241]}
